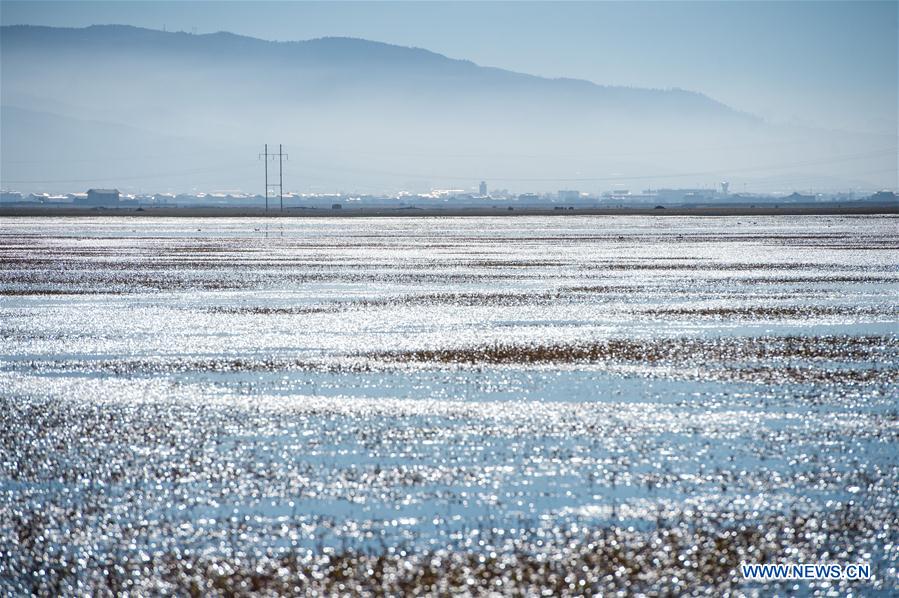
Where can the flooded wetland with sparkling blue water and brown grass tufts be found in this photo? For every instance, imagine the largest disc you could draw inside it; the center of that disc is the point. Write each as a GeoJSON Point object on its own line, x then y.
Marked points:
{"type": "Point", "coordinates": [518, 405]}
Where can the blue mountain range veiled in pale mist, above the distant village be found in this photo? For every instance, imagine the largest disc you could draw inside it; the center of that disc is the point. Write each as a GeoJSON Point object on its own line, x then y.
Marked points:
{"type": "Point", "coordinates": [156, 111]}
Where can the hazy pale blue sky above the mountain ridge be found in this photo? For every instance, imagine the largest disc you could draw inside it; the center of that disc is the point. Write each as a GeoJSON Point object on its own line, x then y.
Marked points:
{"type": "Point", "coordinates": [828, 64]}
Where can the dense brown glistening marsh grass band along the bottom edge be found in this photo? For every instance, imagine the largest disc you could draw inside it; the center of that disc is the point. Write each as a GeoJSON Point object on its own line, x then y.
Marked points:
{"type": "Point", "coordinates": [689, 553]}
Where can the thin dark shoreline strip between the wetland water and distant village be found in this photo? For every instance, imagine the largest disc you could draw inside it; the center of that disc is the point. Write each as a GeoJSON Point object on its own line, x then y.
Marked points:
{"type": "Point", "coordinates": [217, 212]}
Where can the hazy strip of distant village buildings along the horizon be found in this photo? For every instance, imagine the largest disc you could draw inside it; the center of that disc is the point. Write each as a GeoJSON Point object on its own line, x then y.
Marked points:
{"type": "Point", "coordinates": [565, 199]}
